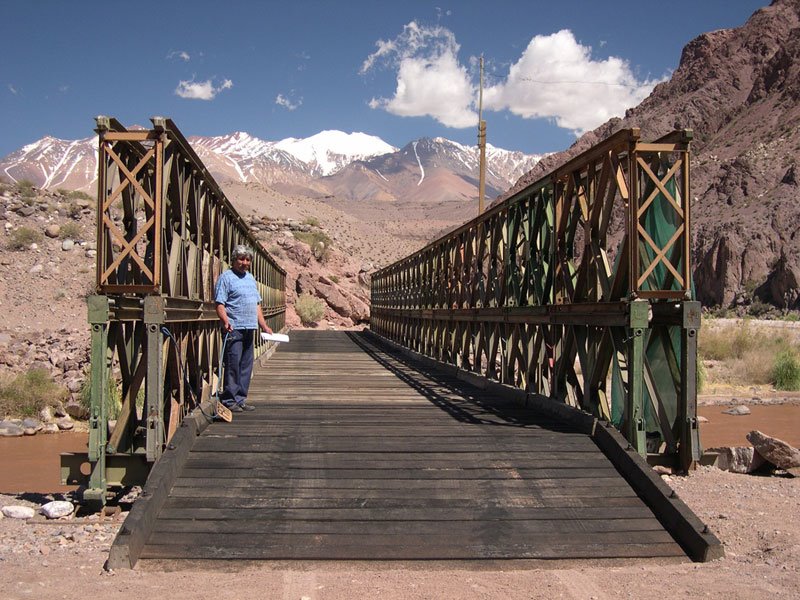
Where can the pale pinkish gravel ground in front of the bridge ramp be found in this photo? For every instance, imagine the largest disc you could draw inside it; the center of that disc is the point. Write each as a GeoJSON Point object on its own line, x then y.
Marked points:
{"type": "Point", "coordinates": [754, 516]}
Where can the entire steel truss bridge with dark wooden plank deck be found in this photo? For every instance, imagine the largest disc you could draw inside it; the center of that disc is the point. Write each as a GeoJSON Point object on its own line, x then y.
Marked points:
{"type": "Point", "coordinates": [517, 374]}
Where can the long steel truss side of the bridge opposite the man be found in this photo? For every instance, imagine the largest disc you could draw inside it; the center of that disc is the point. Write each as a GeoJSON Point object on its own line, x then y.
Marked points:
{"type": "Point", "coordinates": [577, 288]}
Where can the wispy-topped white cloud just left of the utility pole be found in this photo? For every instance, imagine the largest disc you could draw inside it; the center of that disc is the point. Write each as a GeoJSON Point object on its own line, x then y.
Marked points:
{"type": "Point", "coordinates": [430, 80]}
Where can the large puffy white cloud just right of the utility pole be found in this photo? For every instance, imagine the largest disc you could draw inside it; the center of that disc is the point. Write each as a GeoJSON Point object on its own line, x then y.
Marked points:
{"type": "Point", "coordinates": [557, 78]}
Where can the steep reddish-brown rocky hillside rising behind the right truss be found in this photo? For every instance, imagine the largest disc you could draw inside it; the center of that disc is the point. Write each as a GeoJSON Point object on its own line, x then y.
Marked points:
{"type": "Point", "coordinates": [739, 90]}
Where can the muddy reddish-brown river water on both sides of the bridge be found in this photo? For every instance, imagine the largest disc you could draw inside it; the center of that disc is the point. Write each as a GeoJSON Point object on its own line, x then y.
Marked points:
{"type": "Point", "coordinates": [32, 464]}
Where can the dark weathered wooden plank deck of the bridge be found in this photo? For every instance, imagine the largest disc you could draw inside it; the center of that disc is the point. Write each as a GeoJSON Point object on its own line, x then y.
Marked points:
{"type": "Point", "coordinates": [356, 453]}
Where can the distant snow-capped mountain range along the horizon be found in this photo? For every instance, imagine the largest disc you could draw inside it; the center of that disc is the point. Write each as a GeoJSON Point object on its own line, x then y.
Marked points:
{"type": "Point", "coordinates": [347, 165]}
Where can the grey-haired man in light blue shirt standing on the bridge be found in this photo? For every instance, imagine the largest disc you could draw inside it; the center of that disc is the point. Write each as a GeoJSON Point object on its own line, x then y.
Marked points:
{"type": "Point", "coordinates": [239, 310]}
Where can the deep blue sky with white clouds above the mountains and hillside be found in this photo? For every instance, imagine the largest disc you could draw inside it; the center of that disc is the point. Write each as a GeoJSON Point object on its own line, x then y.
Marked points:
{"type": "Point", "coordinates": [400, 70]}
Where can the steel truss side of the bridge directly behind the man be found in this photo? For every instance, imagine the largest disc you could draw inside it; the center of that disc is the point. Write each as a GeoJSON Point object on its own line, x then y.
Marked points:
{"type": "Point", "coordinates": [165, 231]}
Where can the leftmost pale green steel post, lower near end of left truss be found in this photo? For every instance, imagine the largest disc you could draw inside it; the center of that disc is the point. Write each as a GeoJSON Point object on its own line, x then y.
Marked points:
{"type": "Point", "coordinates": [98, 316]}
